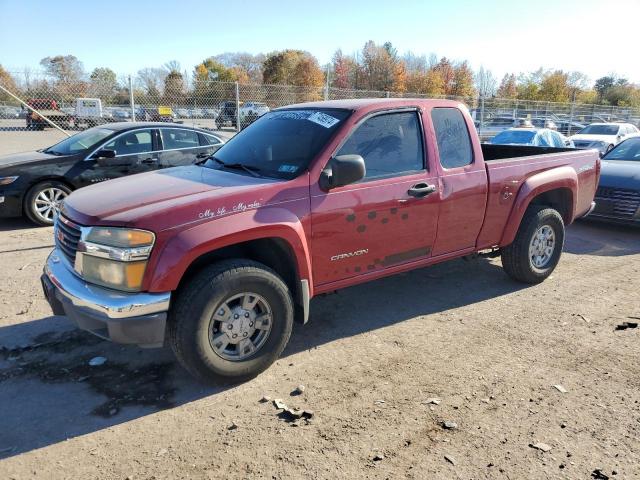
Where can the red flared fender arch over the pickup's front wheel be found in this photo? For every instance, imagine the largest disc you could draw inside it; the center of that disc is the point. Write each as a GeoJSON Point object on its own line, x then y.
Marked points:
{"type": "Point", "coordinates": [184, 247]}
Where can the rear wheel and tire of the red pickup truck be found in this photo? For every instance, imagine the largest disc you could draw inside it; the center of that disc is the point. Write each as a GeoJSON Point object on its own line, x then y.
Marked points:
{"type": "Point", "coordinates": [541, 232]}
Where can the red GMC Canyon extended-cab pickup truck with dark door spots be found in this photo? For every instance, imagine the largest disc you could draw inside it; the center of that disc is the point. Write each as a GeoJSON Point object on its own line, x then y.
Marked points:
{"type": "Point", "coordinates": [218, 259]}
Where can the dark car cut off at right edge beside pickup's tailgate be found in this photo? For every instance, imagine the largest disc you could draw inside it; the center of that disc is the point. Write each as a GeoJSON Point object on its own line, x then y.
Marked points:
{"type": "Point", "coordinates": [618, 195]}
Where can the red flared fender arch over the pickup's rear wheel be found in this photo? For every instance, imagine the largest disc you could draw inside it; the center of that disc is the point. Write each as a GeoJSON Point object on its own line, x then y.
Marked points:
{"type": "Point", "coordinates": [562, 177]}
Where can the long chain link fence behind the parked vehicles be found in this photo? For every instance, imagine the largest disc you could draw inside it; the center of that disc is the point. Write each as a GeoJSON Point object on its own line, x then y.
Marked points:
{"type": "Point", "coordinates": [216, 105]}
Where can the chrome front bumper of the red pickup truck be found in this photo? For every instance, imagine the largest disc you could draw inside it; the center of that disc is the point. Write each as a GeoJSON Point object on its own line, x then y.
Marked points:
{"type": "Point", "coordinates": [134, 318]}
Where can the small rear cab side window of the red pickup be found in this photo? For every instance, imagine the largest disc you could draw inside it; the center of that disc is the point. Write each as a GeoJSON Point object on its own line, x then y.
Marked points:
{"type": "Point", "coordinates": [452, 137]}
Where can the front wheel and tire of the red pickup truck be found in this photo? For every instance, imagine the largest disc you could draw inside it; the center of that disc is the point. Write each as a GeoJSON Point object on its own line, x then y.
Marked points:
{"type": "Point", "coordinates": [193, 326]}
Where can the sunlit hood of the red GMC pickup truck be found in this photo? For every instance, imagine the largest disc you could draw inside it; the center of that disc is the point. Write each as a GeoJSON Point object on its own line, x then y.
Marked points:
{"type": "Point", "coordinates": [172, 197]}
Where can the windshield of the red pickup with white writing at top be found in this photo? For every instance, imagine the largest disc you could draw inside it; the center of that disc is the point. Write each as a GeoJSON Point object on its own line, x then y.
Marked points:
{"type": "Point", "coordinates": [281, 143]}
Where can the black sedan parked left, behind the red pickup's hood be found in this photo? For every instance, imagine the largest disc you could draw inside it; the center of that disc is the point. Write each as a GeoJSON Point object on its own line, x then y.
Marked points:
{"type": "Point", "coordinates": [34, 183]}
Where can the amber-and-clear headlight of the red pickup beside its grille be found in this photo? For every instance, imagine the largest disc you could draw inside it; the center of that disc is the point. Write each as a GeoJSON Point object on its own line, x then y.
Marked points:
{"type": "Point", "coordinates": [114, 257]}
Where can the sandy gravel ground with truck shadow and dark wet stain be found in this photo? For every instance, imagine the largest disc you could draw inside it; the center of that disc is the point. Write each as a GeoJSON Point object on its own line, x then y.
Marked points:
{"type": "Point", "coordinates": [371, 358]}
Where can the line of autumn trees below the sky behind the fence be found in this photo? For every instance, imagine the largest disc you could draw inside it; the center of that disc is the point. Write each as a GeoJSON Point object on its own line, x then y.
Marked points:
{"type": "Point", "coordinates": [375, 67]}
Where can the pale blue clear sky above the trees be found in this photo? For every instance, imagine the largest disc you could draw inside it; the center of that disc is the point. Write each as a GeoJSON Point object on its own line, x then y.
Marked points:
{"type": "Point", "coordinates": [591, 36]}
